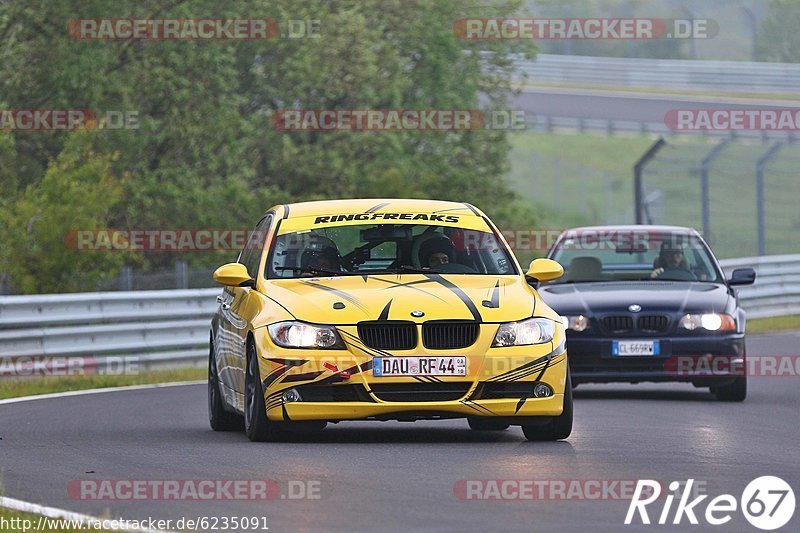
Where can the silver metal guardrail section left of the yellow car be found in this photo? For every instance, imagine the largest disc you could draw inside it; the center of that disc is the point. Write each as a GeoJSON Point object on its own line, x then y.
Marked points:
{"type": "Point", "coordinates": [150, 329]}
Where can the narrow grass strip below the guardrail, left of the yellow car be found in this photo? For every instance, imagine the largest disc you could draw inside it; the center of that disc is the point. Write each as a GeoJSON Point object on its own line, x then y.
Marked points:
{"type": "Point", "coordinates": [12, 388]}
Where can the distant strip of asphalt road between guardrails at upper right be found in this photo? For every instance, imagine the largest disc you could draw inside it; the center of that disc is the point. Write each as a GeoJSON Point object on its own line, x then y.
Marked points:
{"type": "Point", "coordinates": [643, 107]}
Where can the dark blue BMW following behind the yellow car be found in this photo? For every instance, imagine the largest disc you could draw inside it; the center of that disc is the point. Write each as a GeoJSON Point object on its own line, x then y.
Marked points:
{"type": "Point", "coordinates": [649, 303]}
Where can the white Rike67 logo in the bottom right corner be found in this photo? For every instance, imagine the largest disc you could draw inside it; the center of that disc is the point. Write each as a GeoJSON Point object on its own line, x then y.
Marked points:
{"type": "Point", "coordinates": [767, 502]}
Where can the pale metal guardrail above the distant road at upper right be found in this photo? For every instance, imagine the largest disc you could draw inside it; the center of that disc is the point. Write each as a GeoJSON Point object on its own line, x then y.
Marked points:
{"type": "Point", "coordinates": [729, 76]}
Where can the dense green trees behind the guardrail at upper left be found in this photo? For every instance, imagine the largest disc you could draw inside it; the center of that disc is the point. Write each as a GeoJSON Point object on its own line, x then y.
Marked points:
{"type": "Point", "coordinates": [205, 153]}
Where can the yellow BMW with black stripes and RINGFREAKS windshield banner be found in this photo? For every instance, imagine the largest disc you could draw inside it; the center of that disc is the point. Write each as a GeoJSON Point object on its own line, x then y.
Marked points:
{"type": "Point", "coordinates": [384, 310]}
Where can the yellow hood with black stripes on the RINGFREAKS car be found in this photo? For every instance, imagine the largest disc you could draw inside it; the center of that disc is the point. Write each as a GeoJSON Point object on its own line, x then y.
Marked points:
{"type": "Point", "coordinates": [351, 299]}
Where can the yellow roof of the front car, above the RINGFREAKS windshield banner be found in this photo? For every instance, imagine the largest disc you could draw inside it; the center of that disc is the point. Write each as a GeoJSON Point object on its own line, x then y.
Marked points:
{"type": "Point", "coordinates": [363, 205]}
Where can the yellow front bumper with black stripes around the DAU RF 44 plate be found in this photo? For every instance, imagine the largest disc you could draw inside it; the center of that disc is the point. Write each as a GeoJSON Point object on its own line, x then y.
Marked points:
{"type": "Point", "coordinates": [340, 385]}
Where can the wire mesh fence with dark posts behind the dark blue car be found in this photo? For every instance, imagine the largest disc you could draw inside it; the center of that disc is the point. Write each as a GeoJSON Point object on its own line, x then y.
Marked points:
{"type": "Point", "coordinates": [741, 194]}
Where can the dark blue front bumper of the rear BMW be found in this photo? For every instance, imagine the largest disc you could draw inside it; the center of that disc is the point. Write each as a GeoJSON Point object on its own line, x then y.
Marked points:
{"type": "Point", "coordinates": [704, 361]}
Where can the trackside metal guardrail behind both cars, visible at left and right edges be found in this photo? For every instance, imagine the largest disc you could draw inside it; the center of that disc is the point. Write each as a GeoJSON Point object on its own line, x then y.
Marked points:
{"type": "Point", "coordinates": [170, 328]}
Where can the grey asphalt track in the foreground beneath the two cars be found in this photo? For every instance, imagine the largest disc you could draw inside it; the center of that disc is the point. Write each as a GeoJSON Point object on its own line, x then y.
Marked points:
{"type": "Point", "coordinates": [395, 476]}
